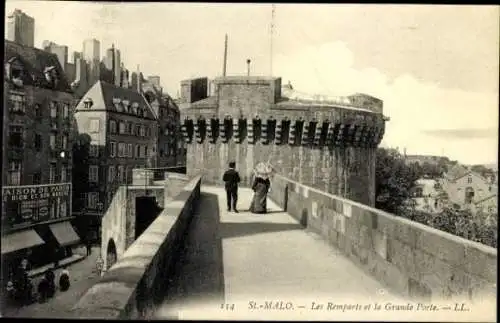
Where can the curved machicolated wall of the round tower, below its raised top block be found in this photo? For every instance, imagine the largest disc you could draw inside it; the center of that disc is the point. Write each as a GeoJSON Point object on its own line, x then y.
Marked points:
{"type": "Point", "coordinates": [344, 166]}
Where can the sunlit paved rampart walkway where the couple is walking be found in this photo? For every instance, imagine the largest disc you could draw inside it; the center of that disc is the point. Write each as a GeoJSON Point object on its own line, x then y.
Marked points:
{"type": "Point", "coordinates": [234, 259]}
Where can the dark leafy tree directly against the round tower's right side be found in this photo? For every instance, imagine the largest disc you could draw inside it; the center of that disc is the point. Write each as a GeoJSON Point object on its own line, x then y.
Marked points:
{"type": "Point", "coordinates": [394, 181]}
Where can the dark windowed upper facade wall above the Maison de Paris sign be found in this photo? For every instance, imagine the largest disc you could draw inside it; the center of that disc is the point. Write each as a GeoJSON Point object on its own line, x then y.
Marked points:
{"type": "Point", "coordinates": [34, 161]}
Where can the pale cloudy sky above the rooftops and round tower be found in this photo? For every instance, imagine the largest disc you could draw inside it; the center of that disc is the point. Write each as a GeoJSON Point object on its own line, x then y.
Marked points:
{"type": "Point", "coordinates": [435, 67]}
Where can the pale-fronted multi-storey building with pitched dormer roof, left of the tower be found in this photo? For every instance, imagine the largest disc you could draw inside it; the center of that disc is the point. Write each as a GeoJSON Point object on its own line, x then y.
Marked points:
{"type": "Point", "coordinates": [117, 130]}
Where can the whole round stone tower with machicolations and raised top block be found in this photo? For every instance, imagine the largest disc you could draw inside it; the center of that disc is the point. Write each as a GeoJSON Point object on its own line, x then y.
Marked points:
{"type": "Point", "coordinates": [328, 144]}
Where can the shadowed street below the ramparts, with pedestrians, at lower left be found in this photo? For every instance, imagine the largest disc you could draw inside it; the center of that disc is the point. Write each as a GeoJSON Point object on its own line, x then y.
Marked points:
{"type": "Point", "coordinates": [83, 275]}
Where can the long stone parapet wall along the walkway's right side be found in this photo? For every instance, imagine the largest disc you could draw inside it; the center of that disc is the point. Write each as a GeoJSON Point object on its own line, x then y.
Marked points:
{"type": "Point", "coordinates": [414, 260]}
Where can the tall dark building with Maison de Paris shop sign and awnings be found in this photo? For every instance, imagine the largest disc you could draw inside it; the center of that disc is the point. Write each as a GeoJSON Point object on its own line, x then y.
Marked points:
{"type": "Point", "coordinates": [37, 159]}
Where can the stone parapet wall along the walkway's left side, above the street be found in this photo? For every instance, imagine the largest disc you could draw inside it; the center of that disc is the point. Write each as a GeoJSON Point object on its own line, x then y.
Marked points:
{"type": "Point", "coordinates": [133, 287]}
